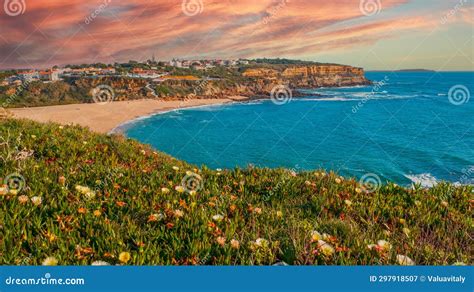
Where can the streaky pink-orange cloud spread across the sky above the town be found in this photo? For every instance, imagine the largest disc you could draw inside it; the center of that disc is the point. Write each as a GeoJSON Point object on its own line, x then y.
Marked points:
{"type": "Point", "coordinates": [59, 32]}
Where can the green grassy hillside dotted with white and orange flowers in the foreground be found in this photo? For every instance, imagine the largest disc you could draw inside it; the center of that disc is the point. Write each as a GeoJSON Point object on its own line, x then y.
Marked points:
{"type": "Point", "coordinates": [90, 197]}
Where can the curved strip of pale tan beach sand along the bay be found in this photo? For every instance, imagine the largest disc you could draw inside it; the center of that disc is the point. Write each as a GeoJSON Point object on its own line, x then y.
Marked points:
{"type": "Point", "coordinates": [103, 118]}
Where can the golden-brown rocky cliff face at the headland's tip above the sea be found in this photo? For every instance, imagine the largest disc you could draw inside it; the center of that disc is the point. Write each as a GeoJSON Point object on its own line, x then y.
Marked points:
{"type": "Point", "coordinates": [312, 76]}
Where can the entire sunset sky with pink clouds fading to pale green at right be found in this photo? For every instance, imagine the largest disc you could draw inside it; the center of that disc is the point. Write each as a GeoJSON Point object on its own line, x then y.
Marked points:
{"type": "Point", "coordinates": [374, 34]}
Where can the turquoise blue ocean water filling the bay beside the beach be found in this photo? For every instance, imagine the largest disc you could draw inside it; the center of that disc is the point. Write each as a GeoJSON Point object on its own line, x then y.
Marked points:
{"type": "Point", "coordinates": [407, 127]}
